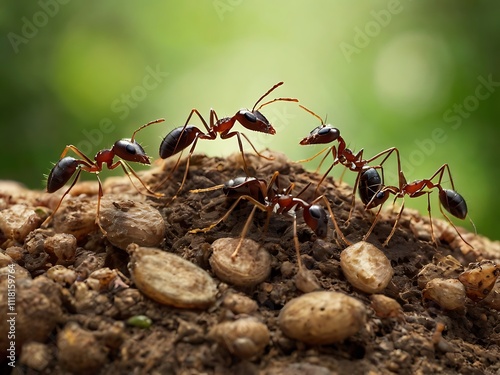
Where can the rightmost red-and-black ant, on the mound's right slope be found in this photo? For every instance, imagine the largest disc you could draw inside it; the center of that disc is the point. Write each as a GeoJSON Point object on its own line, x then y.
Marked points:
{"type": "Point", "coordinates": [374, 193]}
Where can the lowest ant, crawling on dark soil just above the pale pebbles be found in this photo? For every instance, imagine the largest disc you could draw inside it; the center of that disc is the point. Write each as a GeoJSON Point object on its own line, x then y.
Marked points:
{"type": "Point", "coordinates": [269, 198]}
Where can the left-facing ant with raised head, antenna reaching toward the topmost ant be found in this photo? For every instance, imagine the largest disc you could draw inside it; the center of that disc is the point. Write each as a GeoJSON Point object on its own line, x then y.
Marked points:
{"type": "Point", "coordinates": [326, 133]}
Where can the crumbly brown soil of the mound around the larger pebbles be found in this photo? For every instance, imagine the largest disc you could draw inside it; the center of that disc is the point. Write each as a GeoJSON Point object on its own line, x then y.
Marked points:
{"type": "Point", "coordinates": [176, 342]}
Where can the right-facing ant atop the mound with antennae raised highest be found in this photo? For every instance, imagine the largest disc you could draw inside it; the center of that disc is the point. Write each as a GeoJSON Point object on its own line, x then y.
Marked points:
{"type": "Point", "coordinates": [181, 137]}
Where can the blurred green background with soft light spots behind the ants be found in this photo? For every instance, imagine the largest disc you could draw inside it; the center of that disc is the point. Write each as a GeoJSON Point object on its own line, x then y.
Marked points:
{"type": "Point", "coordinates": [423, 76]}
